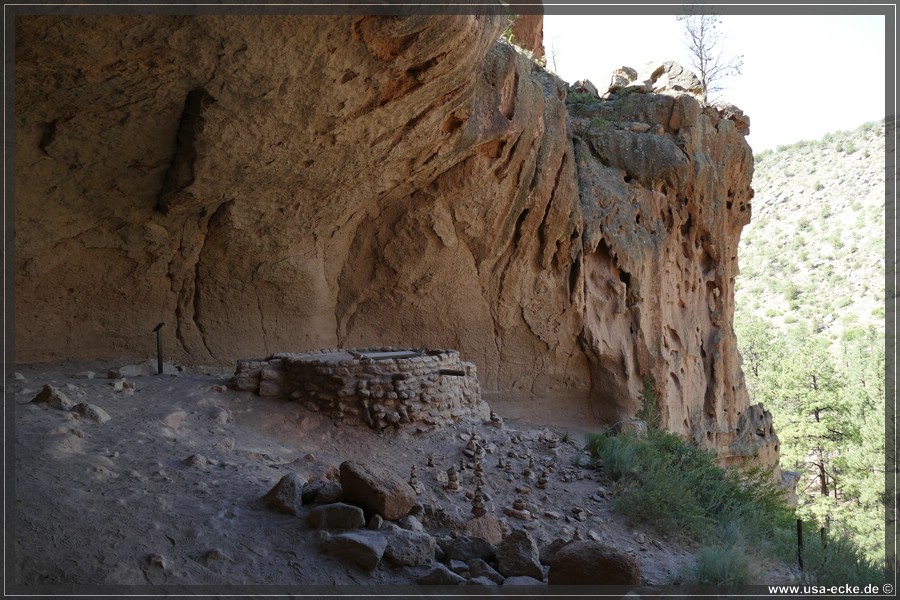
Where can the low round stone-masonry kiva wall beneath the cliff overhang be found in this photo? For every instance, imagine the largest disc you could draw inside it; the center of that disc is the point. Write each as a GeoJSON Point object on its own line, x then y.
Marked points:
{"type": "Point", "coordinates": [378, 387]}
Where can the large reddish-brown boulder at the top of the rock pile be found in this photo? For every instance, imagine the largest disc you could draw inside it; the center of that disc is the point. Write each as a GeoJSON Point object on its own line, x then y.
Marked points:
{"type": "Point", "coordinates": [377, 490]}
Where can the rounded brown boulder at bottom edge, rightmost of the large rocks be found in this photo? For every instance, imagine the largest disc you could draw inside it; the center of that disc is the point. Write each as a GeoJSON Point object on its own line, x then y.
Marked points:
{"type": "Point", "coordinates": [593, 563]}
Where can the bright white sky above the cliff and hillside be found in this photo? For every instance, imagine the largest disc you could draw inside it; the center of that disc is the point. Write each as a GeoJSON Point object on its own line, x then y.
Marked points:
{"type": "Point", "coordinates": [803, 75]}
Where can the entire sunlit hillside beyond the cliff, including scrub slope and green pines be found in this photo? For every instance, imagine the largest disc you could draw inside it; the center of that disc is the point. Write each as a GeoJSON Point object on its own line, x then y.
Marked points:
{"type": "Point", "coordinates": [810, 309]}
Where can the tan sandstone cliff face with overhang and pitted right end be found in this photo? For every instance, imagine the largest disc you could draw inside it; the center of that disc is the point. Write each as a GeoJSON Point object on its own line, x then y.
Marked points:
{"type": "Point", "coordinates": [267, 184]}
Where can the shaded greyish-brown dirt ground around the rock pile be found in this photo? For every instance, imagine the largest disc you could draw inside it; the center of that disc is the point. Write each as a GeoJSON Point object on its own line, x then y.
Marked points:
{"type": "Point", "coordinates": [169, 491]}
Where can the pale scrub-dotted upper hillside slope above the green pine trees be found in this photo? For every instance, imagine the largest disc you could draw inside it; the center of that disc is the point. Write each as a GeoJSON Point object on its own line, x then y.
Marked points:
{"type": "Point", "coordinates": [815, 246]}
